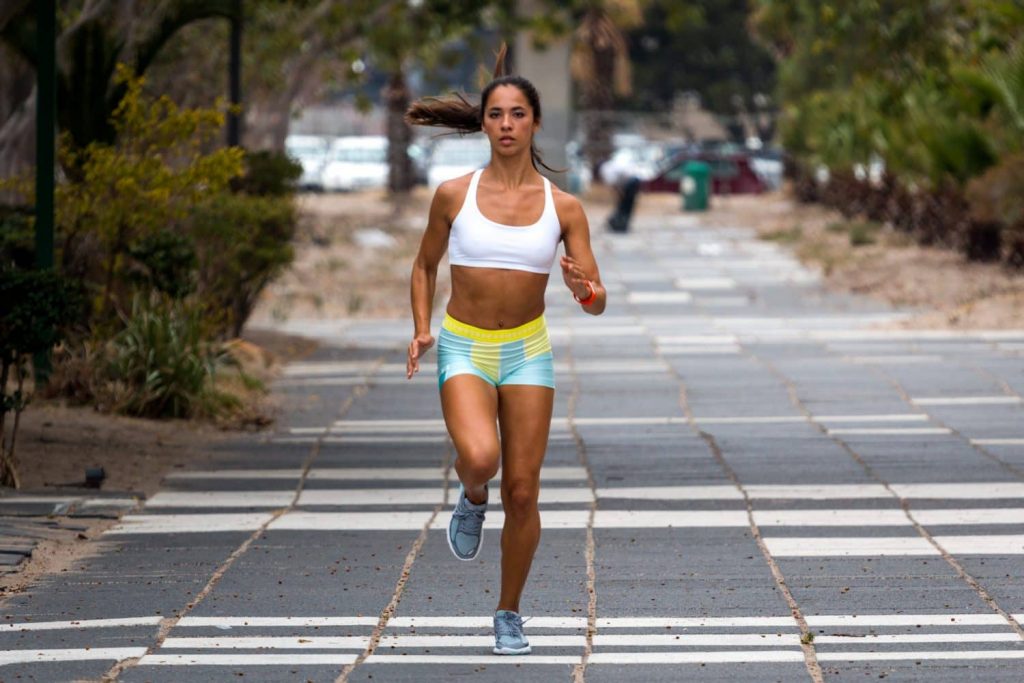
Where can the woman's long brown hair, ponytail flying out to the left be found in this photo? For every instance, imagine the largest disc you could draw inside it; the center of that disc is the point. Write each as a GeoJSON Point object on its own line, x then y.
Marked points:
{"type": "Point", "coordinates": [463, 117]}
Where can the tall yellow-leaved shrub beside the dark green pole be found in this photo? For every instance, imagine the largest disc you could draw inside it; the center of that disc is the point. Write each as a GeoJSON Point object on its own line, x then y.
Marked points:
{"type": "Point", "coordinates": [131, 192]}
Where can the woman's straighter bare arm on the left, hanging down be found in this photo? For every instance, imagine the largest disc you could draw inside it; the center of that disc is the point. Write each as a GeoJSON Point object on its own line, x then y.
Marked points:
{"type": "Point", "coordinates": [424, 279]}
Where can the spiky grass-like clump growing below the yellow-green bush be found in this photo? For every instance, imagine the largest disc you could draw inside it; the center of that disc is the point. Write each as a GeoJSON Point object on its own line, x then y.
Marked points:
{"type": "Point", "coordinates": [163, 360]}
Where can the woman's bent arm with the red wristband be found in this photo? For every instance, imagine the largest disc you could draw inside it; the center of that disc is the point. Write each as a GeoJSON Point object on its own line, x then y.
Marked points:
{"type": "Point", "coordinates": [579, 266]}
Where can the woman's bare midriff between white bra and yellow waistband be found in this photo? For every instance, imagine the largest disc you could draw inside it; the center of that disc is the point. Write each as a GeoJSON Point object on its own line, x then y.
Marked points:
{"type": "Point", "coordinates": [496, 298]}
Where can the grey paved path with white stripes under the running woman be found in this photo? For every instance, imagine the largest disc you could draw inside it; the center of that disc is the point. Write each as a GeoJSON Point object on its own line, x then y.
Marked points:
{"type": "Point", "coordinates": [744, 483]}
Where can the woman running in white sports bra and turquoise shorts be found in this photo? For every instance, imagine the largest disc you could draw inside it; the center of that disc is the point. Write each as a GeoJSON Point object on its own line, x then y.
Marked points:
{"type": "Point", "coordinates": [501, 227]}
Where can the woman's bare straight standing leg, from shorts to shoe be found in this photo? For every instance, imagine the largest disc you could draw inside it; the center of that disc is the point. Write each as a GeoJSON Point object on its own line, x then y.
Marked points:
{"type": "Point", "coordinates": [525, 420]}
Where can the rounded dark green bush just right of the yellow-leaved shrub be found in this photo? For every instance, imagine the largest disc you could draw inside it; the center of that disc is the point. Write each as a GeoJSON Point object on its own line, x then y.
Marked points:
{"type": "Point", "coordinates": [242, 244]}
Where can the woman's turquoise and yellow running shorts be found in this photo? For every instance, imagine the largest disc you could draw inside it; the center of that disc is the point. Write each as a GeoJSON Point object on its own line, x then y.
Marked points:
{"type": "Point", "coordinates": [520, 356]}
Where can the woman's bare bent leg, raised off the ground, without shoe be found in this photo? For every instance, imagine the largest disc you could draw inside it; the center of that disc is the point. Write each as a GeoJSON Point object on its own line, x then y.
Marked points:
{"type": "Point", "coordinates": [471, 408]}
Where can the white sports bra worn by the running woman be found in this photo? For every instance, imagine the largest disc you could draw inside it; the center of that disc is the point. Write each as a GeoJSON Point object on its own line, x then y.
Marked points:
{"type": "Point", "coordinates": [478, 242]}
